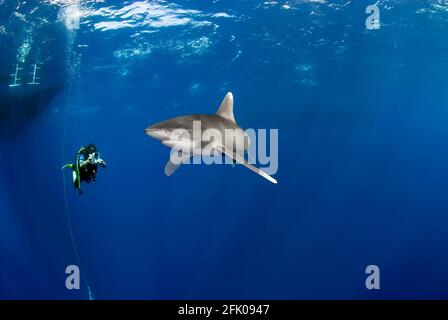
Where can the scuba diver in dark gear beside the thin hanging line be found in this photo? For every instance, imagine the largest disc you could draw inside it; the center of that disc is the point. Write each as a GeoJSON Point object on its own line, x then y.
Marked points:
{"type": "Point", "coordinates": [85, 167]}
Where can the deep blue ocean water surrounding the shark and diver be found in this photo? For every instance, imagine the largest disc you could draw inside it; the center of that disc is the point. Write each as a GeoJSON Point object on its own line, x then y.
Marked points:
{"type": "Point", "coordinates": [362, 119]}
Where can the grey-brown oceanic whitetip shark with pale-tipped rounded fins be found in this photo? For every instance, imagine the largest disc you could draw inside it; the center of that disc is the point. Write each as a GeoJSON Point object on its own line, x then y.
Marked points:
{"type": "Point", "coordinates": [180, 134]}
